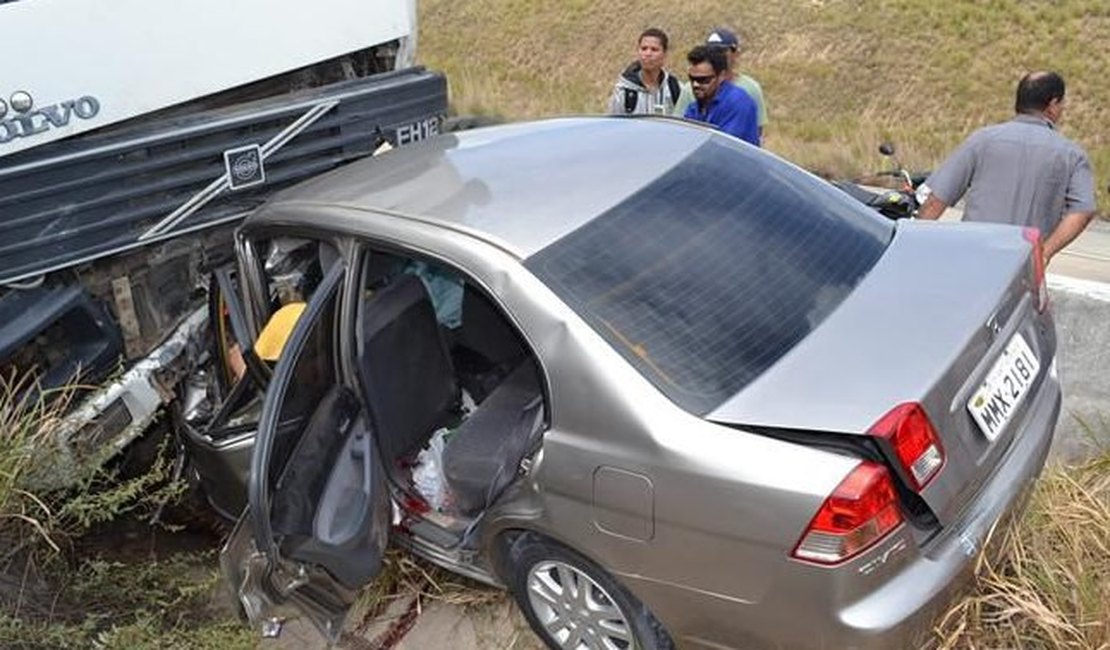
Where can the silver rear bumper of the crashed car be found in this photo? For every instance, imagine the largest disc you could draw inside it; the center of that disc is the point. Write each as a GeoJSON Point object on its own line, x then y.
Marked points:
{"type": "Point", "coordinates": [887, 598]}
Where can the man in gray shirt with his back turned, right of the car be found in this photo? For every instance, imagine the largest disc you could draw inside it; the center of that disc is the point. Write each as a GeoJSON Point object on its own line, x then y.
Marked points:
{"type": "Point", "coordinates": [1022, 172]}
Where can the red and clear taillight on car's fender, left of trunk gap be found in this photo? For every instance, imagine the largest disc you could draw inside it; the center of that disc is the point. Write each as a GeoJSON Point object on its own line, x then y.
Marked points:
{"type": "Point", "coordinates": [861, 512]}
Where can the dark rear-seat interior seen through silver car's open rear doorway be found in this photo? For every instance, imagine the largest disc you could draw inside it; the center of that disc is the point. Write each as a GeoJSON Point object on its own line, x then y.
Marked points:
{"type": "Point", "coordinates": [476, 383]}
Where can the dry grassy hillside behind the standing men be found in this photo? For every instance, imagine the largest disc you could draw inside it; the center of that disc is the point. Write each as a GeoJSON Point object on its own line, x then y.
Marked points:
{"type": "Point", "coordinates": [841, 76]}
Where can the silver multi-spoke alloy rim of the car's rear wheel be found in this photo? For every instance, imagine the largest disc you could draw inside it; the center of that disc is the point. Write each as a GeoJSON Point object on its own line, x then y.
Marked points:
{"type": "Point", "coordinates": [577, 612]}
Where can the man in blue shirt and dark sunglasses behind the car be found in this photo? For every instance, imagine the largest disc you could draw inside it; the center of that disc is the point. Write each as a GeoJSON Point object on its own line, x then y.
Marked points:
{"type": "Point", "coordinates": [720, 103]}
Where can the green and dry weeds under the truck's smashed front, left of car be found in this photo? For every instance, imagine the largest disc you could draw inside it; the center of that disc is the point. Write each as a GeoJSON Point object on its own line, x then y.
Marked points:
{"type": "Point", "coordinates": [83, 567]}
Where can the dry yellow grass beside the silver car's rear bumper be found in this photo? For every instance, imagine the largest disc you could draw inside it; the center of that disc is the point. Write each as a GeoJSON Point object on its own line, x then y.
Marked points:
{"type": "Point", "coordinates": [1050, 586]}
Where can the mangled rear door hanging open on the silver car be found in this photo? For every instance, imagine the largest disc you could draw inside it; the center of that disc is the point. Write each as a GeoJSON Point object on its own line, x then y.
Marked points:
{"type": "Point", "coordinates": [318, 517]}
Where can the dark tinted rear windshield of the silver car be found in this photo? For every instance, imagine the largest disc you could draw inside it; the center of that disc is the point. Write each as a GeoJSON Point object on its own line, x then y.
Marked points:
{"type": "Point", "coordinates": [712, 273]}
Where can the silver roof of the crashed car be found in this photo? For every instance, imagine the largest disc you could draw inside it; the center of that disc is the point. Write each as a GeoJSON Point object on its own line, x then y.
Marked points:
{"type": "Point", "coordinates": [522, 186]}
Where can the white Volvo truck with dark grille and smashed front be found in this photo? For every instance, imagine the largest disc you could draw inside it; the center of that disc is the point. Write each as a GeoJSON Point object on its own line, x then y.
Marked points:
{"type": "Point", "coordinates": [135, 135]}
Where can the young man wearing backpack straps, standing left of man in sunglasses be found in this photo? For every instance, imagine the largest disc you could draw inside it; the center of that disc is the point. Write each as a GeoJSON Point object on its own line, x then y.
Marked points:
{"type": "Point", "coordinates": [647, 87]}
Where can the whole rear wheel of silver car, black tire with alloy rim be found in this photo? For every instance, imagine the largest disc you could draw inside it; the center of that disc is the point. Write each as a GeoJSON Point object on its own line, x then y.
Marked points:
{"type": "Point", "coordinates": [594, 613]}
